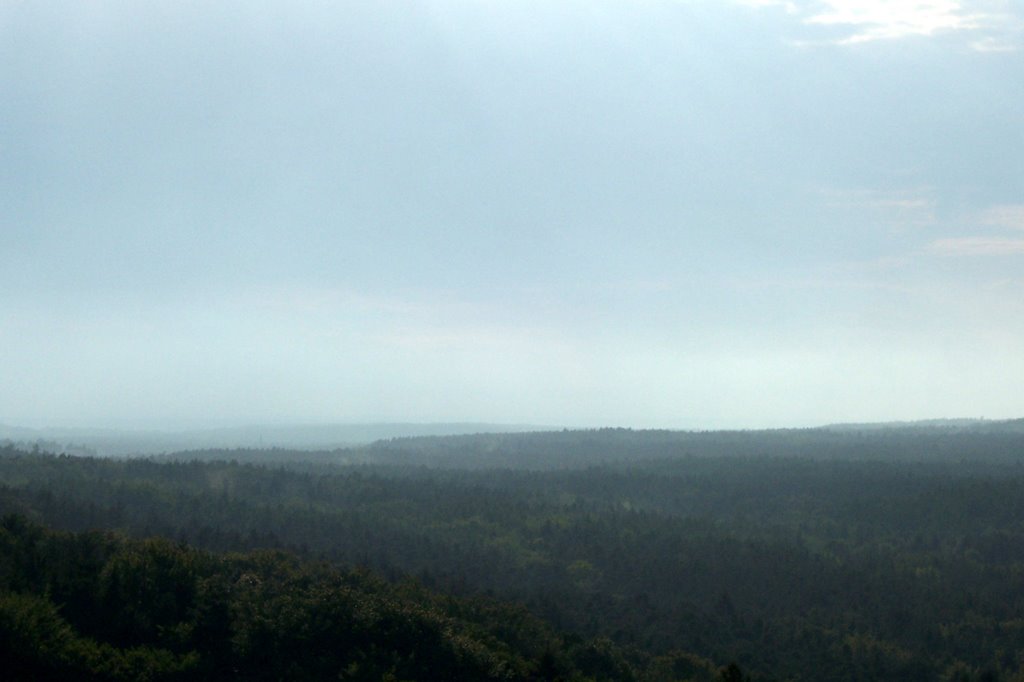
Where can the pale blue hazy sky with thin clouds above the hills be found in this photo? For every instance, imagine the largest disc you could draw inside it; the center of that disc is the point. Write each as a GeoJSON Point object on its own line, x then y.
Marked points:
{"type": "Point", "coordinates": [644, 214]}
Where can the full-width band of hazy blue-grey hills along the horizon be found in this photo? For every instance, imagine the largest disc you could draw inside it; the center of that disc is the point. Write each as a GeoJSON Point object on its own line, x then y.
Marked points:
{"type": "Point", "coordinates": [477, 445]}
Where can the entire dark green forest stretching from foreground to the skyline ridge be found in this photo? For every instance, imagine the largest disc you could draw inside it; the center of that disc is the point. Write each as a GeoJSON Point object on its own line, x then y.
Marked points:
{"type": "Point", "coordinates": [834, 555]}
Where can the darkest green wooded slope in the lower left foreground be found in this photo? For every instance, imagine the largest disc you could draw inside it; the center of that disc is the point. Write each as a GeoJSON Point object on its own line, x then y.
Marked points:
{"type": "Point", "coordinates": [100, 606]}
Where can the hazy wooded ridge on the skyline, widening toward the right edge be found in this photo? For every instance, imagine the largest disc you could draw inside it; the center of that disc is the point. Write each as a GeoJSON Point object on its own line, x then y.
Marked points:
{"type": "Point", "coordinates": [974, 444]}
